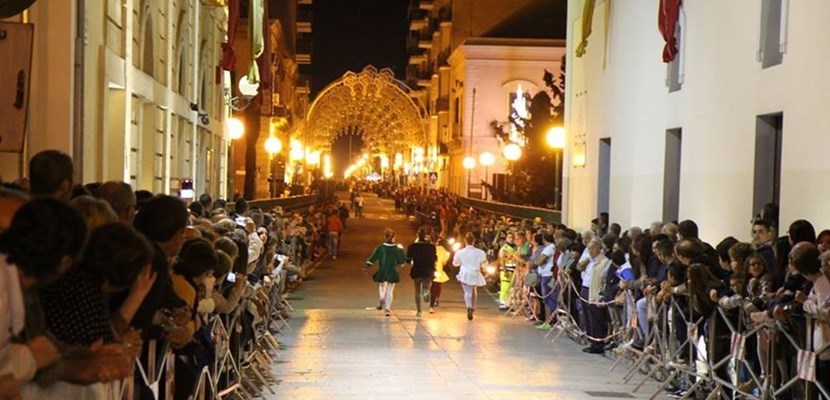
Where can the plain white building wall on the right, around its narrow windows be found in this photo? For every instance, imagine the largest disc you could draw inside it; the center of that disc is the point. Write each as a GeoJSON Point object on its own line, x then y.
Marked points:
{"type": "Point", "coordinates": [724, 90]}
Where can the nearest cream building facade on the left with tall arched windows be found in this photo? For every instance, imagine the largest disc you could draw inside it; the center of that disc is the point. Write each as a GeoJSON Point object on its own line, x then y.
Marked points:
{"type": "Point", "coordinates": [145, 104]}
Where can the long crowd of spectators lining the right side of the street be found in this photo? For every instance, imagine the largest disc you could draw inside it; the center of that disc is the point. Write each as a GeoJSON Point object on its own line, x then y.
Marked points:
{"type": "Point", "coordinates": [663, 294]}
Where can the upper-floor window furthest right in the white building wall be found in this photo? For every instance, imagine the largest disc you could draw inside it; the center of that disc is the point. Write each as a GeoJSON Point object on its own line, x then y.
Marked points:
{"type": "Point", "coordinates": [773, 32]}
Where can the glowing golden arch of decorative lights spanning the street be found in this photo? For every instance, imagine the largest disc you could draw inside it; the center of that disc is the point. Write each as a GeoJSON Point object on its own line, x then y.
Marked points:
{"type": "Point", "coordinates": [371, 103]}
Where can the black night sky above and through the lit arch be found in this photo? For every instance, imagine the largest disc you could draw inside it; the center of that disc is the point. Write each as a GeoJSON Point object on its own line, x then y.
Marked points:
{"type": "Point", "coordinates": [349, 35]}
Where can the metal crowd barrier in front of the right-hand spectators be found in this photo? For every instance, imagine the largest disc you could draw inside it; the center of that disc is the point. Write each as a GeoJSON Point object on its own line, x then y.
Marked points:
{"type": "Point", "coordinates": [666, 359]}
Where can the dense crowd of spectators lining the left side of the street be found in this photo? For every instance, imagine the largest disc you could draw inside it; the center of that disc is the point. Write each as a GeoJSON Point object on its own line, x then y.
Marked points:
{"type": "Point", "coordinates": [96, 277]}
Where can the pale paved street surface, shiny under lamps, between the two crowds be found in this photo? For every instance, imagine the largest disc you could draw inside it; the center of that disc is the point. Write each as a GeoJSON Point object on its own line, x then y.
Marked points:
{"type": "Point", "coordinates": [341, 347]}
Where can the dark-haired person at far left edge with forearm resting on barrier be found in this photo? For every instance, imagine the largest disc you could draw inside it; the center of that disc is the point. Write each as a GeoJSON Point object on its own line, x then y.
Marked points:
{"type": "Point", "coordinates": [43, 240]}
